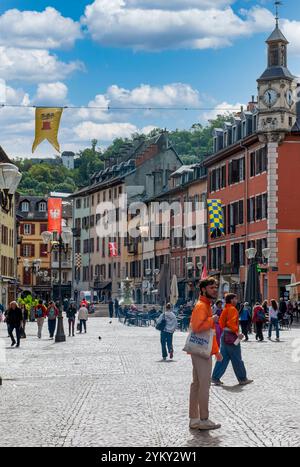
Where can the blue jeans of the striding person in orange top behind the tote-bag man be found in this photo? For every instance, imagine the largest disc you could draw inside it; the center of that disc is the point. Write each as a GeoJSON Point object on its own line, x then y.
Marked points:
{"type": "Point", "coordinates": [233, 354]}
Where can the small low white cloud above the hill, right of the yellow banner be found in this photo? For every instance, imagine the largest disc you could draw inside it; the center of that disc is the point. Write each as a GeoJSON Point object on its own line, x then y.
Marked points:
{"type": "Point", "coordinates": [104, 132]}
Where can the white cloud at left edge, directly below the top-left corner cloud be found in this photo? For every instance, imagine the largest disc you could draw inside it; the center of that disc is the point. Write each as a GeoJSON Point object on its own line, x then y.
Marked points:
{"type": "Point", "coordinates": [33, 65]}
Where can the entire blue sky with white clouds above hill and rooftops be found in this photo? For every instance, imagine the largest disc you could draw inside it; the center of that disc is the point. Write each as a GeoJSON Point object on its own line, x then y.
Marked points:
{"type": "Point", "coordinates": [152, 53]}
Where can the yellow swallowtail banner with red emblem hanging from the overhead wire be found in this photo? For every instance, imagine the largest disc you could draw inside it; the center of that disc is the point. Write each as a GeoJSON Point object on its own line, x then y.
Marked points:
{"type": "Point", "coordinates": [47, 121]}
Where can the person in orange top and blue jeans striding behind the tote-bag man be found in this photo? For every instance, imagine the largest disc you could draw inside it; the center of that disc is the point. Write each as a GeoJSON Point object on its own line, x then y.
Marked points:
{"type": "Point", "coordinates": [230, 344]}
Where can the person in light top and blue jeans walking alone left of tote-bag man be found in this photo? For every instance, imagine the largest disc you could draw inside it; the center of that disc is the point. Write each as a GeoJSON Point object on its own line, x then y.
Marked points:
{"type": "Point", "coordinates": [167, 332]}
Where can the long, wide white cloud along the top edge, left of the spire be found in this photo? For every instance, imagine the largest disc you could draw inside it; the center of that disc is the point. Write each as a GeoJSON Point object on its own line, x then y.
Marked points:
{"type": "Point", "coordinates": [135, 24]}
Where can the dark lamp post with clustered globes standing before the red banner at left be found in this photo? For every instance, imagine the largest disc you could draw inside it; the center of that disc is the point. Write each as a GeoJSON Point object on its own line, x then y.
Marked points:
{"type": "Point", "coordinates": [61, 243]}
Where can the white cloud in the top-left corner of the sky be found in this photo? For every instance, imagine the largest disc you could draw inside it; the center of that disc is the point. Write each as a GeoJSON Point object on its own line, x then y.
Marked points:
{"type": "Point", "coordinates": [46, 30]}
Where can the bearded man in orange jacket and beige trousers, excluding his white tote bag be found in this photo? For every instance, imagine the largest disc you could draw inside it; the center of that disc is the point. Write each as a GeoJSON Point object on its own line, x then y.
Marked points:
{"type": "Point", "coordinates": [203, 320]}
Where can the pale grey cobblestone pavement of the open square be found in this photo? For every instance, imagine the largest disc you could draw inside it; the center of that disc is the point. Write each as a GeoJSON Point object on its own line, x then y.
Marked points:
{"type": "Point", "coordinates": [117, 392]}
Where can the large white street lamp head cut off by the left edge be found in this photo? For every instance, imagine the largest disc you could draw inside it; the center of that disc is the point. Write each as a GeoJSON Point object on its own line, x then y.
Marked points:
{"type": "Point", "coordinates": [10, 178]}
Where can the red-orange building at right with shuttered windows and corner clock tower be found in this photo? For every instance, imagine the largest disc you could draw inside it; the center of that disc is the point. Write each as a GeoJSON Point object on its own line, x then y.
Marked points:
{"type": "Point", "coordinates": [254, 171]}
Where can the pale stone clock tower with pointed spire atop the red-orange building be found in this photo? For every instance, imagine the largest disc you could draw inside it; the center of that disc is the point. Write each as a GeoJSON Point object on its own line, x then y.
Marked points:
{"type": "Point", "coordinates": [276, 90]}
